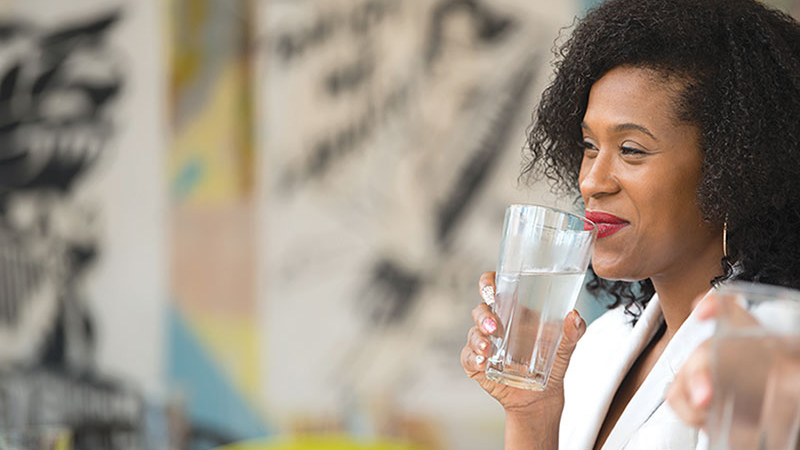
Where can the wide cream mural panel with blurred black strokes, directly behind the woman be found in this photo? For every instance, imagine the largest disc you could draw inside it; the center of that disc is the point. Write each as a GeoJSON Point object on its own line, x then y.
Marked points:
{"type": "Point", "coordinates": [392, 144]}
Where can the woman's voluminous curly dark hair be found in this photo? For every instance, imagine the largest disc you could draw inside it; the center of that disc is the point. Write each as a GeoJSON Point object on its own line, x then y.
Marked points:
{"type": "Point", "coordinates": [739, 62]}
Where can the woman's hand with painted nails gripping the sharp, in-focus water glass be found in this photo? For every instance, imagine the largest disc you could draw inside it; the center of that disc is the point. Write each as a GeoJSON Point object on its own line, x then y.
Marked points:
{"type": "Point", "coordinates": [517, 402]}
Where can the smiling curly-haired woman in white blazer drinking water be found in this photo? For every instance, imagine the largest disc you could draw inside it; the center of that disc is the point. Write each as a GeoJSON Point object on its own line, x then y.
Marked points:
{"type": "Point", "coordinates": [679, 123]}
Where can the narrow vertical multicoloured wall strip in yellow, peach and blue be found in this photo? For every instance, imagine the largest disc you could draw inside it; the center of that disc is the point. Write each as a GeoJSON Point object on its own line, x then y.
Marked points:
{"type": "Point", "coordinates": [213, 356]}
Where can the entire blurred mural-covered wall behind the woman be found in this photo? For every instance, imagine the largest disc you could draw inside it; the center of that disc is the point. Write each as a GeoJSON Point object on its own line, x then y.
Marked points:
{"type": "Point", "coordinates": [225, 220]}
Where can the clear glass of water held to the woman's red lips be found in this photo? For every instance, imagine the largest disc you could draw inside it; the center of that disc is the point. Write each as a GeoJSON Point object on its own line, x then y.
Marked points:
{"type": "Point", "coordinates": [543, 259]}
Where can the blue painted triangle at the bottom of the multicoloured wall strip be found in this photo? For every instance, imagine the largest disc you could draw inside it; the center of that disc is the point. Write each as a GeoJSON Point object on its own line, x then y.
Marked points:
{"type": "Point", "coordinates": [211, 400]}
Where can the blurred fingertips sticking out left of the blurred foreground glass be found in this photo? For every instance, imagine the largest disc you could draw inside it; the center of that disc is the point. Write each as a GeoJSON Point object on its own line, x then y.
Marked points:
{"type": "Point", "coordinates": [690, 392]}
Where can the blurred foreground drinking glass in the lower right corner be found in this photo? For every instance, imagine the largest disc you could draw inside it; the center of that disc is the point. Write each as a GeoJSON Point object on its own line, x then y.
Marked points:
{"type": "Point", "coordinates": [755, 367]}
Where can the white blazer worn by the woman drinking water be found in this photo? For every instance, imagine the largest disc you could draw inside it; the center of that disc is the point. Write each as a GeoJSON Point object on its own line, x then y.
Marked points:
{"type": "Point", "coordinates": [602, 358]}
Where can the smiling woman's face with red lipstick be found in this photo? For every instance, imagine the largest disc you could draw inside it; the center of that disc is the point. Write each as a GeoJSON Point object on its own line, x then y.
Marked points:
{"type": "Point", "coordinates": [639, 176]}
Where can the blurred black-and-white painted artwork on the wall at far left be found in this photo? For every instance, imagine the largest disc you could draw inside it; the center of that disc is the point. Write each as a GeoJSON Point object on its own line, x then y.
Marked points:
{"type": "Point", "coordinates": [58, 89]}
